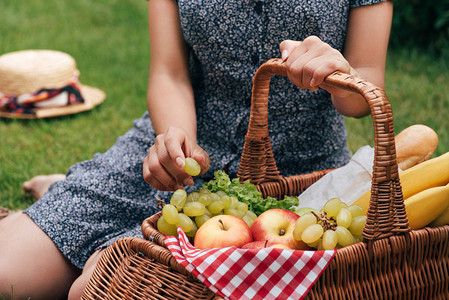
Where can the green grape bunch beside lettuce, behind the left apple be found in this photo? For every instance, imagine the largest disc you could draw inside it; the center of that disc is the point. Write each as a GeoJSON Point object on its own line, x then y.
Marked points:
{"type": "Point", "coordinates": [191, 211]}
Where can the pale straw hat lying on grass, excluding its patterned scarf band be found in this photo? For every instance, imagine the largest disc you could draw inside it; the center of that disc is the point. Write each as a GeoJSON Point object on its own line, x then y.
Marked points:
{"type": "Point", "coordinates": [29, 71]}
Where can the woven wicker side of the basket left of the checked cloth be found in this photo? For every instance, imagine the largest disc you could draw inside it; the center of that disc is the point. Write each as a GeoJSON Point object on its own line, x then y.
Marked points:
{"type": "Point", "coordinates": [133, 268]}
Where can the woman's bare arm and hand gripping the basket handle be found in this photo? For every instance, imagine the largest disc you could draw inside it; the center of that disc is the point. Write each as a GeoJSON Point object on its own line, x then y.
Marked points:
{"type": "Point", "coordinates": [365, 51]}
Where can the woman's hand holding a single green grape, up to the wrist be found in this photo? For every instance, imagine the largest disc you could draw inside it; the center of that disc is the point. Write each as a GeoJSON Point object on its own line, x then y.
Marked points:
{"type": "Point", "coordinates": [163, 166]}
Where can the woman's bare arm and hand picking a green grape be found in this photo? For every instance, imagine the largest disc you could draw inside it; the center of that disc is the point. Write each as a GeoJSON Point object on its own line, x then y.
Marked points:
{"type": "Point", "coordinates": [170, 102]}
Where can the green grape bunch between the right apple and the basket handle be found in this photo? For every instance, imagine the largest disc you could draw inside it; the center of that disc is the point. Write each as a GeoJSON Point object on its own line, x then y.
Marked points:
{"type": "Point", "coordinates": [336, 225]}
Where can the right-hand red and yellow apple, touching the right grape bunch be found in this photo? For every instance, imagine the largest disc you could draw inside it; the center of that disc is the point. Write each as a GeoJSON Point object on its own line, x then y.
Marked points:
{"type": "Point", "coordinates": [277, 225]}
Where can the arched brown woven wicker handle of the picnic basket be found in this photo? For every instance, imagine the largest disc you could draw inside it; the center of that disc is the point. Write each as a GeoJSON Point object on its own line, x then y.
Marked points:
{"type": "Point", "coordinates": [386, 214]}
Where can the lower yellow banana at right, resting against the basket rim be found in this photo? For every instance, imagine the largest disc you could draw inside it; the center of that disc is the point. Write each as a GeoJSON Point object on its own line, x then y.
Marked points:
{"type": "Point", "coordinates": [424, 207]}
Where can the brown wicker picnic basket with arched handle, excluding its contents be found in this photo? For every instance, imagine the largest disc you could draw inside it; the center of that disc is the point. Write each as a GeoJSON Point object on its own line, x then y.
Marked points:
{"type": "Point", "coordinates": [392, 262]}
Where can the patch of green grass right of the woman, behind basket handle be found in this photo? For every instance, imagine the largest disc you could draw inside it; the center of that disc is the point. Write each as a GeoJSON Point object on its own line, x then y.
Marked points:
{"type": "Point", "coordinates": [417, 88]}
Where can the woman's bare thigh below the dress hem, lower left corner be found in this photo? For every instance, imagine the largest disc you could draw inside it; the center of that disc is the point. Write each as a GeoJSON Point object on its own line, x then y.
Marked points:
{"type": "Point", "coordinates": [31, 263]}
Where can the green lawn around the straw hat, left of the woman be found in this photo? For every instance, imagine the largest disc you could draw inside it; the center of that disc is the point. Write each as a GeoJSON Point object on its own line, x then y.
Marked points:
{"type": "Point", "coordinates": [109, 40]}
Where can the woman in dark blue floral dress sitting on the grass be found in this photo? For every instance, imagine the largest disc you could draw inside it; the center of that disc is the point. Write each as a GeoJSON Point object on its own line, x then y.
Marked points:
{"type": "Point", "coordinates": [203, 58]}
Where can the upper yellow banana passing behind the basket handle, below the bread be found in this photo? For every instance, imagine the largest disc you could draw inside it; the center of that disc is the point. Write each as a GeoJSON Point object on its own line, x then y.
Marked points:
{"type": "Point", "coordinates": [431, 173]}
